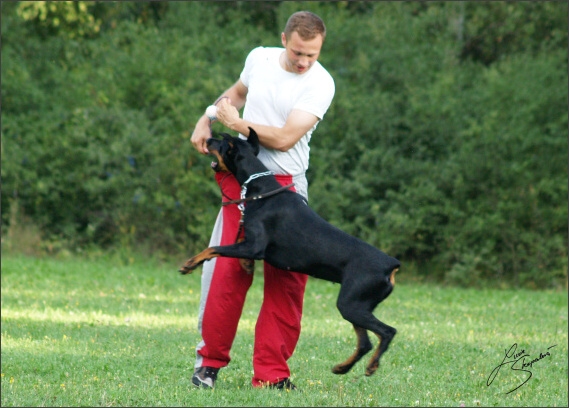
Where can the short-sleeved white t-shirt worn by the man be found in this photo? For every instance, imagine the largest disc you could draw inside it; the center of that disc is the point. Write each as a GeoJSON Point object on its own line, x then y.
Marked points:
{"type": "Point", "coordinates": [272, 94]}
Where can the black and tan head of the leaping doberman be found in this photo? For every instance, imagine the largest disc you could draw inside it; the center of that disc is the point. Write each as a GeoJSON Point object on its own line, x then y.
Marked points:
{"type": "Point", "coordinates": [229, 150]}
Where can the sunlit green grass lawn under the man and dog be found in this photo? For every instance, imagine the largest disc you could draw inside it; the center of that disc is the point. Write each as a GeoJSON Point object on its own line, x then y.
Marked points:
{"type": "Point", "coordinates": [100, 331]}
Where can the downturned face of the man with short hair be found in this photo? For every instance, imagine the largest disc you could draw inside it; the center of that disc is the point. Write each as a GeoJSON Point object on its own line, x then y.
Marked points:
{"type": "Point", "coordinates": [300, 54]}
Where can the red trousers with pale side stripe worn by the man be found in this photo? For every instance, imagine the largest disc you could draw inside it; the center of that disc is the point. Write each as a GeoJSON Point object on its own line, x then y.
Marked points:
{"type": "Point", "coordinates": [224, 287]}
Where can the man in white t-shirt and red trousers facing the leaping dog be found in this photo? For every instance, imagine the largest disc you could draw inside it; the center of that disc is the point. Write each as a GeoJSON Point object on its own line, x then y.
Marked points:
{"type": "Point", "coordinates": [285, 93]}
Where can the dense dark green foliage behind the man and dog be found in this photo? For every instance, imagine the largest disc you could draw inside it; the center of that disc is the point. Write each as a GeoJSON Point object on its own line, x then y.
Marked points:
{"type": "Point", "coordinates": [445, 146]}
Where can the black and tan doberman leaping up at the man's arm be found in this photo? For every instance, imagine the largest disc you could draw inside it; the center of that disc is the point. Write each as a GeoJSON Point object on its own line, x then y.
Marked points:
{"type": "Point", "coordinates": [282, 229]}
